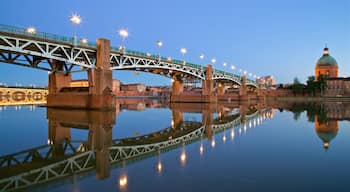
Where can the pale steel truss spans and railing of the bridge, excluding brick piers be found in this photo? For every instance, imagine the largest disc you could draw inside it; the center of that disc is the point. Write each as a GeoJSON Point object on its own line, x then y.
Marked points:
{"type": "Point", "coordinates": [38, 50]}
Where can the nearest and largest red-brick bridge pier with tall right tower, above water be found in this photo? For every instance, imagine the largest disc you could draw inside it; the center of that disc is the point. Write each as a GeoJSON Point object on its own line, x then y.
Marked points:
{"type": "Point", "coordinates": [99, 93]}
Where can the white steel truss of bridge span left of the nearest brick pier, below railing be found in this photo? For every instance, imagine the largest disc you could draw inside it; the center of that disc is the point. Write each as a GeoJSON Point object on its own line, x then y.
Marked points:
{"type": "Point", "coordinates": [33, 52]}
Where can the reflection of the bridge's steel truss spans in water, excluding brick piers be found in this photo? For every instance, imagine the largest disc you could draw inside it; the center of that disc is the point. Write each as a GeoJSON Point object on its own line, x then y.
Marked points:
{"type": "Point", "coordinates": [83, 161]}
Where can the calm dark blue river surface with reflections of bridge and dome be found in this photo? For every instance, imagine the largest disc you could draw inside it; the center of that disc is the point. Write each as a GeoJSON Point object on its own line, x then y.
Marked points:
{"type": "Point", "coordinates": [151, 146]}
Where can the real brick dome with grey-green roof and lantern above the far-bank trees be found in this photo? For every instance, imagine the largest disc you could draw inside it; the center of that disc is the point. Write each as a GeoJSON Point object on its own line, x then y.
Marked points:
{"type": "Point", "coordinates": [326, 66]}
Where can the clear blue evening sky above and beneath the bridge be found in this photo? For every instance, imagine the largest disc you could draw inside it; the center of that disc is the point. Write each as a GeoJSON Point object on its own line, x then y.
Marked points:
{"type": "Point", "coordinates": [271, 37]}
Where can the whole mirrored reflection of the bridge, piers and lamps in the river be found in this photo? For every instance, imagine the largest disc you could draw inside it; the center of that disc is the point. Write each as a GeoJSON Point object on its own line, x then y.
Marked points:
{"type": "Point", "coordinates": [63, 156]}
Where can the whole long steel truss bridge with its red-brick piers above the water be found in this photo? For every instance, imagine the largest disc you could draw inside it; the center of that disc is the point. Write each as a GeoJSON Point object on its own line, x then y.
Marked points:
{"type": "Point", "coordinates": [61, 56]}
